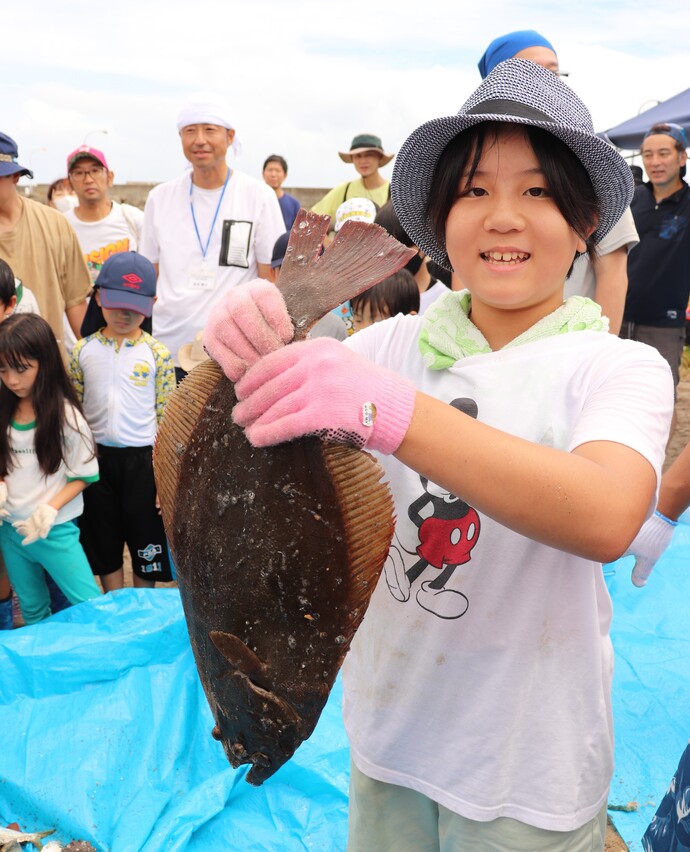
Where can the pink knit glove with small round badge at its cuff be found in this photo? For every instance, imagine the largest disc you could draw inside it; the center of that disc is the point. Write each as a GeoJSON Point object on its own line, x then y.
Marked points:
{"type": "Point", "coordinates": [320, 387]}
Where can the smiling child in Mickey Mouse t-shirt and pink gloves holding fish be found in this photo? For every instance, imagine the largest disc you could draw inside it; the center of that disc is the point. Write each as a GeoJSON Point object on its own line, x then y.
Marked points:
{"type": "Point", "coordinates": [523, 446]}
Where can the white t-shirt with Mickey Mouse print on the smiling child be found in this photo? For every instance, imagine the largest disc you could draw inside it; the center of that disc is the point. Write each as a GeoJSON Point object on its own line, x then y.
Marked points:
{"type": "Point", "coordinates": [490, 691]}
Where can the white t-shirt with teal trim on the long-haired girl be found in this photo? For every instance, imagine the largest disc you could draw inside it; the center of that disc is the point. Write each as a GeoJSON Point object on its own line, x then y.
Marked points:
{"type": "Point", "coordinates": [28, 487]}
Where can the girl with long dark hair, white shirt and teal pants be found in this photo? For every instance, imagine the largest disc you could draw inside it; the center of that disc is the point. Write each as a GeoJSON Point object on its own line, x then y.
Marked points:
{"type": "Point", "coordinates": [47, 459]}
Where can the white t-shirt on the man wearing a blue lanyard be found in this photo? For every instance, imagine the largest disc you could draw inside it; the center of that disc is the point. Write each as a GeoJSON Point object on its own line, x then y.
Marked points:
{"type": "Point", "coordinates": [246, 228]}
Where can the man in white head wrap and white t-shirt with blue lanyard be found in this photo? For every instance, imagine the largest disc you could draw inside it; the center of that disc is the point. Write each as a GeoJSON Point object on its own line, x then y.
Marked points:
{"type": "Point", "coordinates": [206, 231]}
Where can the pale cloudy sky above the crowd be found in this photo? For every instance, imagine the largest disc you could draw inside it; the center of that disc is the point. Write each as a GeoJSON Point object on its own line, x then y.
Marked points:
{"type": "Point", "coordinates": [302, 77]}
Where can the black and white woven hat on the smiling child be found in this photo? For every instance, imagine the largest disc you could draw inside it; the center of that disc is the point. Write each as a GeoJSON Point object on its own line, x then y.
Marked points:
{"type": "Point", "coordinates": [516, 92]}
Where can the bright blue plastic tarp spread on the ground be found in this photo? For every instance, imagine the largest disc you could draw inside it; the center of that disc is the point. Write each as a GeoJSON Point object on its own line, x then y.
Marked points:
{"type": "Point", "coordinates": [106, 733]}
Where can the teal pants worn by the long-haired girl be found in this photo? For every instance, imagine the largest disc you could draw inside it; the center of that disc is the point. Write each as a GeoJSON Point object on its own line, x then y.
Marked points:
{"type": "Point", "coordinates": [61, 555]}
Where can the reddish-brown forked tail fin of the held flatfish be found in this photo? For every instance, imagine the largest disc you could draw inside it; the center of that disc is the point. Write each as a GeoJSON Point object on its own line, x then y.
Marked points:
{"type": "Point", "coordinates": [361, 255]}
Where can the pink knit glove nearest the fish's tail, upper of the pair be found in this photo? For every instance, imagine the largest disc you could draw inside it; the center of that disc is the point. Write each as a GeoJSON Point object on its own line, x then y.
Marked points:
{"type": "Point", "coordinates": [251, 322]}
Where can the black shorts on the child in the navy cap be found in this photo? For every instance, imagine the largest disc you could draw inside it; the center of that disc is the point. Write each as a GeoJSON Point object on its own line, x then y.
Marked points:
{"type": "Point", "coordinates": [121, 509]}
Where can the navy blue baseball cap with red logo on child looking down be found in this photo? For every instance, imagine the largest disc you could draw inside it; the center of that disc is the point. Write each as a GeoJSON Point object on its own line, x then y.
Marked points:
{"type": "Point", "coordinates": [127, 281]}
